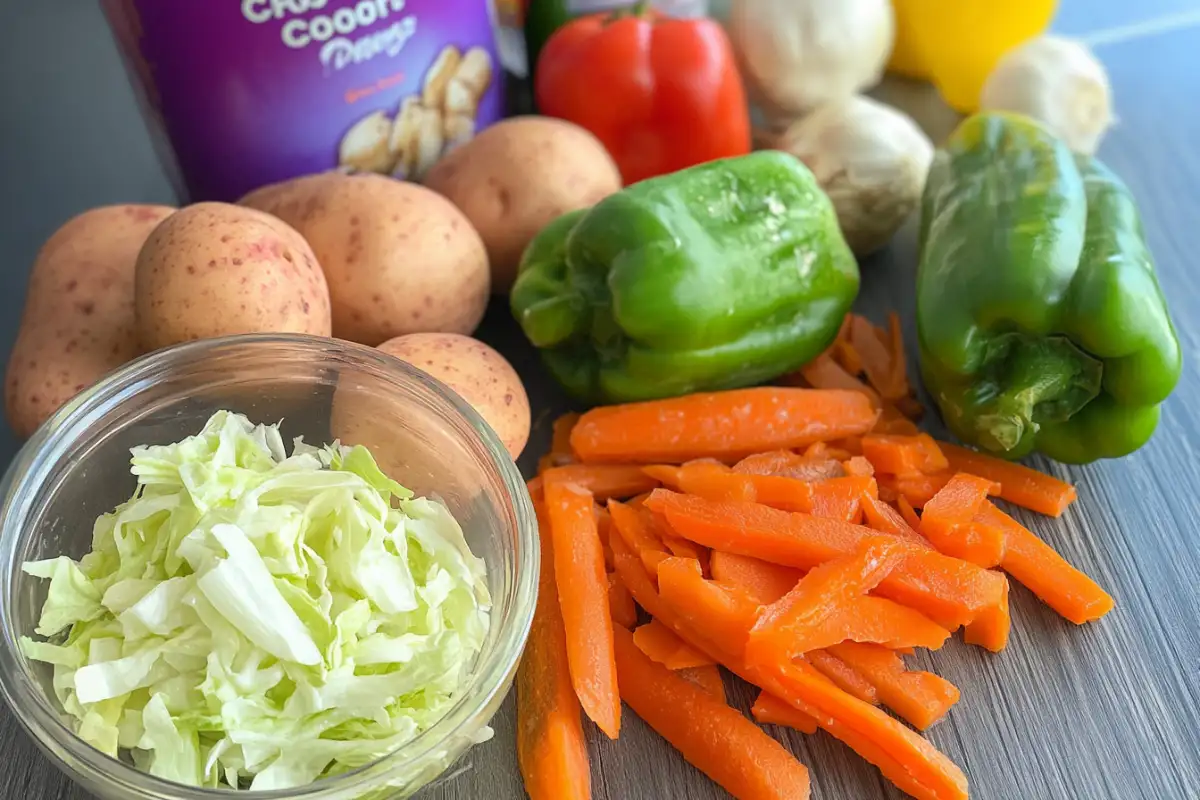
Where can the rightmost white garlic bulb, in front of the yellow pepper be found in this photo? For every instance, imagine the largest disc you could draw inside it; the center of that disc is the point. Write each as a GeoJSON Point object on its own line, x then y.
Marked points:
{"type": "Point", "coordinates": [1059, 83]}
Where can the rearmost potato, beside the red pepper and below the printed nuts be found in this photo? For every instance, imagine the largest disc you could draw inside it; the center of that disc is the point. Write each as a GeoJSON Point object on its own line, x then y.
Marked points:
{"type": "Point", "coordinates": [520, 176]}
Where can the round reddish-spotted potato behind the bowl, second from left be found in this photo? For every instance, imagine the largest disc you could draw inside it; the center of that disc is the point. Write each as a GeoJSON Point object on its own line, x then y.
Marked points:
{"type": "Point", "coordinates": [215, 269]}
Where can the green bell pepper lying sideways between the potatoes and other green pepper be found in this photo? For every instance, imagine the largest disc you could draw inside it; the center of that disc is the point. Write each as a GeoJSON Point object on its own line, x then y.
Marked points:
{"type": "Point", "coordinates": [718, 276]}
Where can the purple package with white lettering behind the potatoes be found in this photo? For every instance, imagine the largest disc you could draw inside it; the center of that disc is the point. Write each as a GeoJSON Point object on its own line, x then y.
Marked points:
{"type": "Point", "coordinates": [248, 93]}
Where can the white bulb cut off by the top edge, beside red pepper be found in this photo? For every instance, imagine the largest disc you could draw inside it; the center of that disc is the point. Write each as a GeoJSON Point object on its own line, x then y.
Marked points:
{"type": "Point", "coordinates": [799, 55]}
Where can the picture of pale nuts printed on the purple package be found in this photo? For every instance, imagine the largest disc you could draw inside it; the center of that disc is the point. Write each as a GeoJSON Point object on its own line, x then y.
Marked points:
{"type": "Point", "coordinates": [428, 125]}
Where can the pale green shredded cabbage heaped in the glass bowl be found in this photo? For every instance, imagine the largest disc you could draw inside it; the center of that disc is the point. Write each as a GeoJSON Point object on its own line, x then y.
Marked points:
{"type": "Point", "coordinates": [253, 619]}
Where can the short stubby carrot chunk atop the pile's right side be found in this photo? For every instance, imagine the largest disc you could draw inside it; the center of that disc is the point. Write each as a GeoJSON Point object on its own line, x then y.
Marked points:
{"type": "Point", "coordinates": [949, 522]}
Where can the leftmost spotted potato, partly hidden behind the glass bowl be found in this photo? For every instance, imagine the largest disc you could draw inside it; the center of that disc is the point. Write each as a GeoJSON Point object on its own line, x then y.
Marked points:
{"type": "Point", "coordinates": [79, 321]}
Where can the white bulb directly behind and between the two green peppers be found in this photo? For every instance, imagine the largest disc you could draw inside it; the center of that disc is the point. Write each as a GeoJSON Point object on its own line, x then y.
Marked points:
{"type": "Point", "coordinates": [871, 160]}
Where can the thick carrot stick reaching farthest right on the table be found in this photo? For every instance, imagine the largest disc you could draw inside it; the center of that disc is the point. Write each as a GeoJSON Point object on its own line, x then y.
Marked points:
{"type": "Point", "coordinates": [1039, 568]}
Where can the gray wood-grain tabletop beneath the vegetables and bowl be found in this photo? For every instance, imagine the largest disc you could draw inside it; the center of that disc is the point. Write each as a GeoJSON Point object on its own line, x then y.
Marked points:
{"type": "Point", "coordinates": [1108, 712]}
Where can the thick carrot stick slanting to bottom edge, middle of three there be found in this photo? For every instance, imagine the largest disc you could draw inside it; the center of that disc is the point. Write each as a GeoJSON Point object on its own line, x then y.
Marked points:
{"type": "Point", "coordinates": [713, 737]}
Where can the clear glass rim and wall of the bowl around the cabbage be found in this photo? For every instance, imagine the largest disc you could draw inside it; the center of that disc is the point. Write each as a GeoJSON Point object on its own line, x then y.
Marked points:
{"type": "Point", "coordinates": [38, 713]}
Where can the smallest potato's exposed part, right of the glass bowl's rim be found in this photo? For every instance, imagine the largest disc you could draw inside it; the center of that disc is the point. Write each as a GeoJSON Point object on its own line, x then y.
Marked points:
{"type": "Point", "coordinates": [478, 374]}
